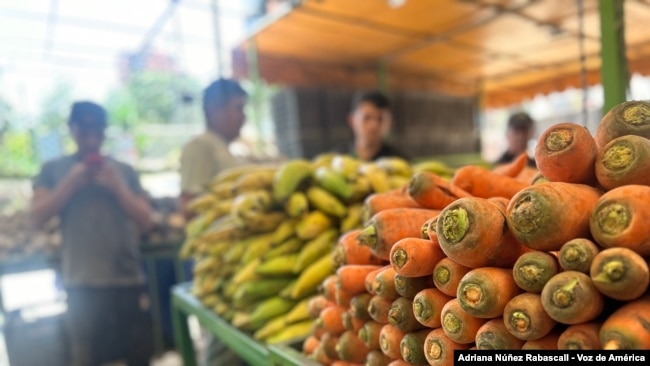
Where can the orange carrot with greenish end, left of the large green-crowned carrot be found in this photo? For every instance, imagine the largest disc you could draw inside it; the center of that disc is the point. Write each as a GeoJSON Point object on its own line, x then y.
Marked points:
{"type": "Point", "coordinates": [389, 226]}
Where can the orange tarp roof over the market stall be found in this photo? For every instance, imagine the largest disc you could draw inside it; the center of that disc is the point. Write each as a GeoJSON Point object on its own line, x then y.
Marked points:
{"type": "Point", "coordinates": [503, 50]}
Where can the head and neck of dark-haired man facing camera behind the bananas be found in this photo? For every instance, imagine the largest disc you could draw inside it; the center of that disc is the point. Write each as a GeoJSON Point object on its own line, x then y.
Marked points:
{"type": "Point", "coordinates": [370, 120]}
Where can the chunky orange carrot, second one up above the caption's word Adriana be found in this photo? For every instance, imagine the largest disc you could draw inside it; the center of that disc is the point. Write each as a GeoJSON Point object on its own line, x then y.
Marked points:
{"type": "Point", "coordinates": [484, 292]}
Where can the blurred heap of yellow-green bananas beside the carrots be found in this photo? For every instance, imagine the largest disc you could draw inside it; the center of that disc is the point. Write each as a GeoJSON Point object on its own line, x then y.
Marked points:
{"type": "Point", "coordinates": [263, 236]}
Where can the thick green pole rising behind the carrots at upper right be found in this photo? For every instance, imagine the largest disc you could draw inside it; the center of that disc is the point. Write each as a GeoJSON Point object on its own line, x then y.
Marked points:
{"type": "Point", "coordinates": [612, 52]}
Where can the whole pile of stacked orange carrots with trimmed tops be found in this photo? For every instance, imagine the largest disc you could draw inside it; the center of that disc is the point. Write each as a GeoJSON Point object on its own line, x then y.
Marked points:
{"type": "Point", "coordinates": [497, 259]}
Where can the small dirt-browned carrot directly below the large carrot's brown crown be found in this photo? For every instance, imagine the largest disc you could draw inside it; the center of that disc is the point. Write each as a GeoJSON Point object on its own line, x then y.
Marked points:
{"type": "Point", "coordinates": [533, 269]}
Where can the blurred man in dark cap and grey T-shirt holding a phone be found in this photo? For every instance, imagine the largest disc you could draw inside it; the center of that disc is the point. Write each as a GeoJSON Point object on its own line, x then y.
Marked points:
{"type": "Point", "coordinates": [102, 209]}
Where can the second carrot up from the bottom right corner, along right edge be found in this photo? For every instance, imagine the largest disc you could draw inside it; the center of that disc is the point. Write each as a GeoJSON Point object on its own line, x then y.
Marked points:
{"type": "Point", "coordinates": [620, 273]}
